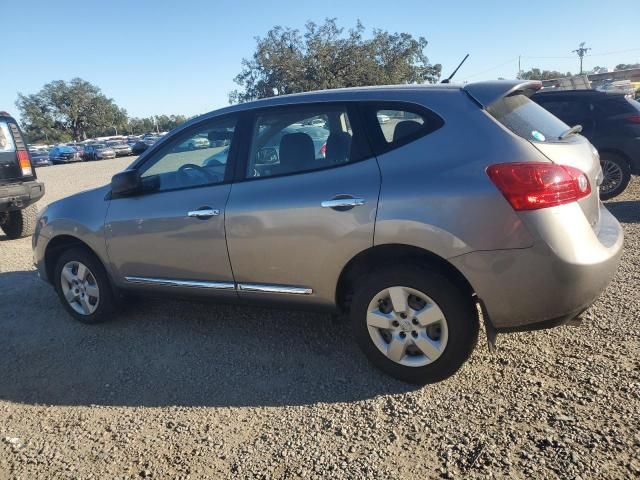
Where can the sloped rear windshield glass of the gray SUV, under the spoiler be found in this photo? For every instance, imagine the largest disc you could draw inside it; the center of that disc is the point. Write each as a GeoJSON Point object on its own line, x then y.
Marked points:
{"type": "Point", "coordinates": [527, 119]}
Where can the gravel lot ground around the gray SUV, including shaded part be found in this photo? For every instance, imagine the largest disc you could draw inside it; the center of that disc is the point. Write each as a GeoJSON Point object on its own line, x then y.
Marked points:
{"type": "Point", "coordinates": [181, 390]}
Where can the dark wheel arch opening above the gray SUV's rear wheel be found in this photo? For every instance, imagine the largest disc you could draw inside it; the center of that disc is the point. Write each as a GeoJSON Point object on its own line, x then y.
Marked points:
{"type": "Point", "coordinates": [367, 260]}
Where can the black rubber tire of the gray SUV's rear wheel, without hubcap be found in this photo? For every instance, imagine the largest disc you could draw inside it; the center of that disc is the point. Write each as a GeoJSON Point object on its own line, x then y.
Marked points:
{"type": "Point", "coordinates": [459, 311]}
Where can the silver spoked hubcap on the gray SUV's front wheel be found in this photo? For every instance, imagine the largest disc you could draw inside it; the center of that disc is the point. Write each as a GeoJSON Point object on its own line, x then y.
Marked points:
{"type": "Point", "coordinates": [80, 288]}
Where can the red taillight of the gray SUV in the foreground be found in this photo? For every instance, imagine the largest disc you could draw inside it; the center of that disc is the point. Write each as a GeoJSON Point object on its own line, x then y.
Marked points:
{"type": "Point", "coordinates": [533, 185]}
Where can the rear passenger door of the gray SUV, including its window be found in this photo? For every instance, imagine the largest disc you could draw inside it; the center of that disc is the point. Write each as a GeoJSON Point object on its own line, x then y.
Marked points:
{"type": "Point", "coordinates": [305, 206]}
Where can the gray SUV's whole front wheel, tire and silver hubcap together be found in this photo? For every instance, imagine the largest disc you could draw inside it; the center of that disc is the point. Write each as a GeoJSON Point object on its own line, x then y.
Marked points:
{"type": "Point", "coordinates": [83, 286]}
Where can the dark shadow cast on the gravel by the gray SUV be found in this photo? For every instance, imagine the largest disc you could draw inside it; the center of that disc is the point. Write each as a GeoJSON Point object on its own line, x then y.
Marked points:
{"type": "Point", "coordinates": [162, 352]}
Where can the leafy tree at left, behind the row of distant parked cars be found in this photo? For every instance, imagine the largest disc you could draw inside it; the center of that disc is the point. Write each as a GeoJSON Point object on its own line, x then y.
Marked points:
{"type": "Point", "coordinates": [74, 109]}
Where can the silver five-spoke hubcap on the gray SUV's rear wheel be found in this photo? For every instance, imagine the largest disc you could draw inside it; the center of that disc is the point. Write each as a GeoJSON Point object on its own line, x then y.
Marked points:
{"type": "Point", "coordinates": [407, 326]}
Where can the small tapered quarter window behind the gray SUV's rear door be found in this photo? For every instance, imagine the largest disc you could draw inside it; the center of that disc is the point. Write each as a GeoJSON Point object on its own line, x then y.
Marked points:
{"type": "Point", "coordinates": [391, 125]}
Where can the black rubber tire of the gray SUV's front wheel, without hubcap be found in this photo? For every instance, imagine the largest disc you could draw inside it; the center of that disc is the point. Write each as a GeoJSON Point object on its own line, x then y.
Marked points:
{"type": "Point", "coordinates": [106, 305]}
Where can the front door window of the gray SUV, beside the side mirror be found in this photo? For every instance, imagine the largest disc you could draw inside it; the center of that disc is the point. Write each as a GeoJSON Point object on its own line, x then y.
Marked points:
{"type": "Point", "coordinates": [191, 159]}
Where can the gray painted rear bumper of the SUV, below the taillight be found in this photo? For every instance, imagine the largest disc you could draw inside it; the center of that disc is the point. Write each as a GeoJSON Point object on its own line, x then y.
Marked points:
{"type": "Point", "coordinates": [566, 270]}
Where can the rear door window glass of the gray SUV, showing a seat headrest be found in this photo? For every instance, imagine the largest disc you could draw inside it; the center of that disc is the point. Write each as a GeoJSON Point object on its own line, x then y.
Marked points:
{"type": "Point", "coordinates": [293, 140]}
